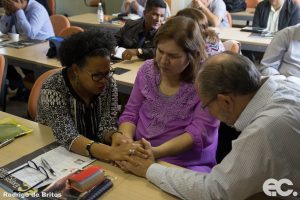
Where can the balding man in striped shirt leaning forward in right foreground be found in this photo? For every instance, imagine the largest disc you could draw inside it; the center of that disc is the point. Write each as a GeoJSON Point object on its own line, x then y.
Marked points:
{"type": "Point", "coordinates": [266, 110]}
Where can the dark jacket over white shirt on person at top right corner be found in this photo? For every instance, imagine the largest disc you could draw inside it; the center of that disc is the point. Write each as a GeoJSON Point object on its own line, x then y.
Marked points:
{"type": "Point", "coordinates": [289, 14]}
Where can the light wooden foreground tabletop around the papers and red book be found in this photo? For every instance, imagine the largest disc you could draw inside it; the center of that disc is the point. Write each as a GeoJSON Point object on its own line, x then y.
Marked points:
{"type": "Point", "coordinates": [126, 186]}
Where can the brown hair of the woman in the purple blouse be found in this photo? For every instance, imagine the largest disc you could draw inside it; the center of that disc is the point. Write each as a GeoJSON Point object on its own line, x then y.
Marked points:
{"type": "Point", "coordinates": [186, 34]}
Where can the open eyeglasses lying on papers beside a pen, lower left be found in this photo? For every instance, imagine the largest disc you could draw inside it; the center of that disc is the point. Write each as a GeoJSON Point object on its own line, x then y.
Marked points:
{"type": "Point", "coordinates": [33, 165]}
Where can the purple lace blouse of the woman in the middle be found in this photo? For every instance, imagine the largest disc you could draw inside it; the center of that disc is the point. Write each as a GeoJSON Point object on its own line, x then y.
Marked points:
{"type": "Point", "coordinates": [159, 118]}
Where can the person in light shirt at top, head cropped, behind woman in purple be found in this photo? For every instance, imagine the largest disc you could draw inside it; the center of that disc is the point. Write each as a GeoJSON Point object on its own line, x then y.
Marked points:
{"type": "Point", "coordinates": [215, 11]}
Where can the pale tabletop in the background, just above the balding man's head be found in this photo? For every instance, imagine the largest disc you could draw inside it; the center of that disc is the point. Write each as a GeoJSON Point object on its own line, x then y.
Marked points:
{"type": "Point", "coordinates": [249, 41]}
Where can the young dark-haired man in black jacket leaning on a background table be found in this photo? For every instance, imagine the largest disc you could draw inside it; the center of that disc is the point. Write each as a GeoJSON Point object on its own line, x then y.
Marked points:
{"type": "Point", "coordinates": [137, 36]}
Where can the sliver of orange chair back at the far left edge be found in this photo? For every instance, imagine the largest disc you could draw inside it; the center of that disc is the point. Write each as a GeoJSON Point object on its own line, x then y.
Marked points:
{"type": "Point", "coordinates": [3, 70]}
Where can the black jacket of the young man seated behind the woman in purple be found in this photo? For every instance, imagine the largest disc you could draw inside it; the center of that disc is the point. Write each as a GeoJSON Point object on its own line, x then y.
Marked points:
{"type": "Point", "coordinates": [133, 36]}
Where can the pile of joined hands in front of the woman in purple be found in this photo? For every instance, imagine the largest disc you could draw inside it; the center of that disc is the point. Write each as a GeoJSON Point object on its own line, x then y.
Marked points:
{"type": "Point", "coordinates": [135, 156]}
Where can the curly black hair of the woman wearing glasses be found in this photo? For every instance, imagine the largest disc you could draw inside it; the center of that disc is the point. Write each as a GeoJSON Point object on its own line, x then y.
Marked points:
{"type": "Point", "coordinates": [76, 48]}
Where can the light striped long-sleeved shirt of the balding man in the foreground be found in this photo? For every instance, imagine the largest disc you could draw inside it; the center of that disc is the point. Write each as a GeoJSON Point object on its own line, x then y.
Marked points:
{"type": "Point", "coordinates": [268, 147]}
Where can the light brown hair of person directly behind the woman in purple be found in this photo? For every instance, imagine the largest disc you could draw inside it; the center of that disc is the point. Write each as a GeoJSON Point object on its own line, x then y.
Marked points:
{"type": "Point", "coordinates": [201, 19]}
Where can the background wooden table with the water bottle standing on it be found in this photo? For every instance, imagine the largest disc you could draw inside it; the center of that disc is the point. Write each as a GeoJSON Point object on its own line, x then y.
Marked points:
{"type": "Point", "coordinates": [88, 20]}
